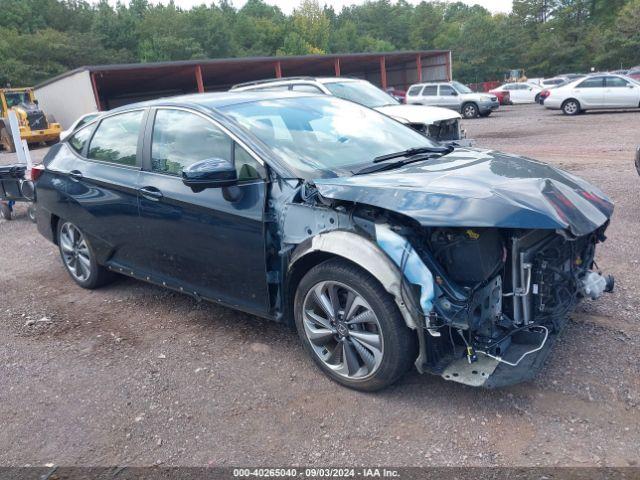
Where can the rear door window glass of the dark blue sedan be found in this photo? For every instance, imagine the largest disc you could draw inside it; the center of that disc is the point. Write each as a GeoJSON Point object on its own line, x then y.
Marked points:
{"type": "Point", "coordinates": [116, 139]}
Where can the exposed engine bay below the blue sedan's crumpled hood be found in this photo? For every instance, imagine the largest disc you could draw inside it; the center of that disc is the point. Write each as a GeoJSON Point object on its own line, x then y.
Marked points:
{"type": "Point", "coordinates": [502, 295]}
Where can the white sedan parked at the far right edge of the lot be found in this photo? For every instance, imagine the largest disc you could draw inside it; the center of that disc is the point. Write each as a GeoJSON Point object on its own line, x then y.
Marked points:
{"type": "Point", "coordinates": [595, 92]}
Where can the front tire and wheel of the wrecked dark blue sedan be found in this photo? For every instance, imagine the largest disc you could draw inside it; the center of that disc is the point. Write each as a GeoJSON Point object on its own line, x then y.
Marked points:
{"type": "Point", "coordinates": [366, 355]}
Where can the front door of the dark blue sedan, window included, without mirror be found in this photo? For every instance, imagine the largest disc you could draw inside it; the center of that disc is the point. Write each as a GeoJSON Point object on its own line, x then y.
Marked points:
{"type": "Point", "coordinates": [210, 242]}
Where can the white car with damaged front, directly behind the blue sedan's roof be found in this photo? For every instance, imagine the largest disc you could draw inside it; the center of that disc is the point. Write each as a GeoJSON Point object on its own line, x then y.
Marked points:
{"type": "Point", "coordinates": [437, 123]}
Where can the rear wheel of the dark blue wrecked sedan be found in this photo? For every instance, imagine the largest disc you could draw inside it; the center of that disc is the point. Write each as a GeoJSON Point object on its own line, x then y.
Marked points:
{"type": "Point", "coordinates": [79, 258]}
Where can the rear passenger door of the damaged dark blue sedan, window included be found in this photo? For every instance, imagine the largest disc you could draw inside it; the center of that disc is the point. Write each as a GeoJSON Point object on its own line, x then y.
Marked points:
{"type": "Point", "coordinates": [101, 185]}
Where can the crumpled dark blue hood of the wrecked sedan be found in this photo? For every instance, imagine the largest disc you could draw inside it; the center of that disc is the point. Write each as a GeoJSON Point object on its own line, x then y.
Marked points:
{"type": "Point", "coordinates": [479, 188]}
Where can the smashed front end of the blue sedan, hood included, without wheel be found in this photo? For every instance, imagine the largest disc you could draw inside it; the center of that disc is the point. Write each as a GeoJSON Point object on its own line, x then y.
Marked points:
{"type": "Point", "coordinates": [486, 302]}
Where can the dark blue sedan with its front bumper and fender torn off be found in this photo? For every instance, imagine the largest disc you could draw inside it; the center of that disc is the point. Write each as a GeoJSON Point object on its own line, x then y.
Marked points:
{"type": "Point", "coordinates": [383, 248]}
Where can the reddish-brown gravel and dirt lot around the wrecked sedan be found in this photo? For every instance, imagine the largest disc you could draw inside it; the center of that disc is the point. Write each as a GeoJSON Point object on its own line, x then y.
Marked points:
{"type": "Point", "coordinates": [131, 374]}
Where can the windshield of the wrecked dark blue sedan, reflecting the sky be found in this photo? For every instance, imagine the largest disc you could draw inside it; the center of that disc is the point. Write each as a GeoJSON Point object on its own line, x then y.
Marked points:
{"type": "Point", "coordinates": [324, 136]}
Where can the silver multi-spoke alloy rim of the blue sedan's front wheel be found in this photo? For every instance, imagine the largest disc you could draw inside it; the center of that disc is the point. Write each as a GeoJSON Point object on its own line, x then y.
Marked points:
{"type": "Point", "coordinates": [343, 330]}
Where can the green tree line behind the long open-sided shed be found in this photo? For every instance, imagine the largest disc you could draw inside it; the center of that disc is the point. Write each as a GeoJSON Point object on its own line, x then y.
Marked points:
{"type": "Point", "coordinates": [43, 38]}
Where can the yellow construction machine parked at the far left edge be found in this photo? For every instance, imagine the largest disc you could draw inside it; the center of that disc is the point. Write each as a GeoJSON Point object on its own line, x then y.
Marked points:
{"type": "Point", "coordinates": [34, 125]}
